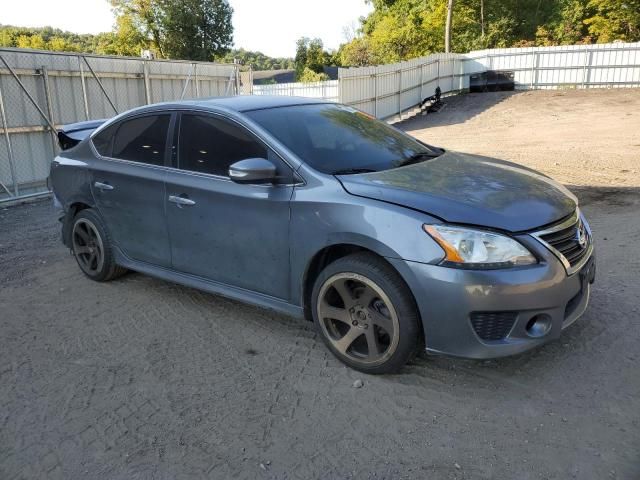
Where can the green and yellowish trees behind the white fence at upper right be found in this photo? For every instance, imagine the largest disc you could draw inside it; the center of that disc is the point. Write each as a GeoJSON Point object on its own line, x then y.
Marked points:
{"type": "Point", "coordinates": [402, 29]}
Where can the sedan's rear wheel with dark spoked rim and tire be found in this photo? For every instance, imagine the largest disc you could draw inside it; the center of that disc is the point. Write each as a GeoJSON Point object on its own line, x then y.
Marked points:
{"type": "Point", "coordinates": [92, 247]}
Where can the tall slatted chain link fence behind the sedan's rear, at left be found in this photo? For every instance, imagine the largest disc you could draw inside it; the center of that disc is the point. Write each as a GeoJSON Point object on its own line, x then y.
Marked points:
{"type": "Point", "coordinates": [41, 91]}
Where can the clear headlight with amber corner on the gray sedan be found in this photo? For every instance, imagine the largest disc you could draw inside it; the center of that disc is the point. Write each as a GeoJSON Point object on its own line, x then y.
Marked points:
{"type": "Point", "coordinates": [467, 248]}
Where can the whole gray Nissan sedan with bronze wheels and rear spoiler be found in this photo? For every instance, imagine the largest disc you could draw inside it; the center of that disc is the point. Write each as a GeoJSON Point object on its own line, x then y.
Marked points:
{"type": "Point", "coordinates": [317, 210]}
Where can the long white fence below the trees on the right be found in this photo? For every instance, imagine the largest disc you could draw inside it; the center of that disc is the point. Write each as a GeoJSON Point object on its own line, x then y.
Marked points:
{"type": "Point", "coordinates": [390, 90]}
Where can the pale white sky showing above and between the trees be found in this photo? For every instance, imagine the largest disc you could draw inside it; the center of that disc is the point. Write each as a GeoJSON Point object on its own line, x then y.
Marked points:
{"type": "Point", "coordinates": [271, 27]}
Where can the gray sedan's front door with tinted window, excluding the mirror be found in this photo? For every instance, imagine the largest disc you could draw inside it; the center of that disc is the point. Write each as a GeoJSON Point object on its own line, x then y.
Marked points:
{"type": "Point", "coordinates": [230, 233]}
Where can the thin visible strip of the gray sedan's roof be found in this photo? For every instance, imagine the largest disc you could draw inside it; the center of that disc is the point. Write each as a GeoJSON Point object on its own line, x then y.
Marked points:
{"type": "Point", "coordinates": [244, 103]}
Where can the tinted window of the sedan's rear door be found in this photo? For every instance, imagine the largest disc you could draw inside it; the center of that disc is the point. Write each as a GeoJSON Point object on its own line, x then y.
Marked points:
{"type": "Point", "coordinates": [142, 139]}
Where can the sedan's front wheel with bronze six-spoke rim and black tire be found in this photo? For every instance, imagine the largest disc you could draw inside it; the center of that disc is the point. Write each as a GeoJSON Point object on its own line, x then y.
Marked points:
{"type": "Point", "coordinates": [377, 328]}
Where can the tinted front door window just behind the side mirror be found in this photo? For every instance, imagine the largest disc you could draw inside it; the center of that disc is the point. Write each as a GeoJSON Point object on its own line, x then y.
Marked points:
{"type": "Point", "coordinates": [210, 145]}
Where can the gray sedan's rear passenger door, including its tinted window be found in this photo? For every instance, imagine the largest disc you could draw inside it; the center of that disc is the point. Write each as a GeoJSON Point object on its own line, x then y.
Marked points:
{"type": "Point", "coordinates": [128, 185]}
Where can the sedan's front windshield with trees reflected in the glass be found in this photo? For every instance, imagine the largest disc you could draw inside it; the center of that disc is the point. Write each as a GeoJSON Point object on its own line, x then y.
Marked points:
{"type": "Point", "coordinates": [336, 139]}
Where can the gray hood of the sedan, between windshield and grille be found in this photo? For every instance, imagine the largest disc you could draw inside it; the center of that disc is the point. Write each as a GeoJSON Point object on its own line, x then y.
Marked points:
{"type": "Point", "coordinates": [469, 189]}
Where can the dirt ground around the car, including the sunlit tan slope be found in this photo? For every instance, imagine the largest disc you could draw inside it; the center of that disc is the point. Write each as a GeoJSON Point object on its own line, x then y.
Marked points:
{"type": "Point", "coordinates": [140, 378]}
